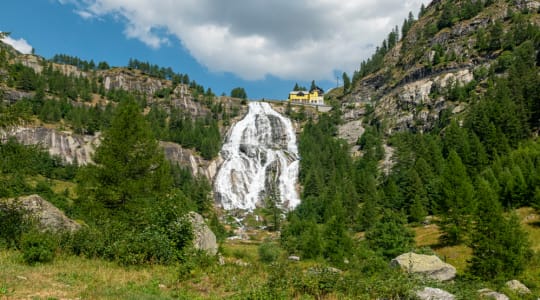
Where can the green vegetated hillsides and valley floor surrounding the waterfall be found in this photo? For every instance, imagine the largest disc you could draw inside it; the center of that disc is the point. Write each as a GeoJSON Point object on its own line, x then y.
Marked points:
{"type": "Point", "coordinates": [453, 95]}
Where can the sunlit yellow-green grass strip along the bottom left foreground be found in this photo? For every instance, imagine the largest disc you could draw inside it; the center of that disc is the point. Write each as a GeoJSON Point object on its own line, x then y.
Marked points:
{"type": "Point", "coordinates": [71, 277]}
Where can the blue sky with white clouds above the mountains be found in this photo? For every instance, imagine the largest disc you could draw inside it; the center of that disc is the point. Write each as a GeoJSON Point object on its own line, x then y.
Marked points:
{"type": "Point", "coordinates": [264, 46]}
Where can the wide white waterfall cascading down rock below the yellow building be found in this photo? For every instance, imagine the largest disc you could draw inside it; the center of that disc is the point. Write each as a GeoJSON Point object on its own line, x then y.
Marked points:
{"type": "Point", "coordinates": [260, 162]}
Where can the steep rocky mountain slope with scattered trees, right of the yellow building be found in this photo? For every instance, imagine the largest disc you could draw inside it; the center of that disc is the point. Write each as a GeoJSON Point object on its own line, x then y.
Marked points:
{"type": "Point", "coordinates": [452, 46]}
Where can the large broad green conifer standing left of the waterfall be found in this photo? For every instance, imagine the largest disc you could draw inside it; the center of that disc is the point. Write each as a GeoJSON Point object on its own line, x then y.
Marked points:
{"type": "Point", "coordinates": [129, 163]}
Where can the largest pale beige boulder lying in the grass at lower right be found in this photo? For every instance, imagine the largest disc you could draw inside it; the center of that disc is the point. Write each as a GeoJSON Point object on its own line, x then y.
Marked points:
{"type": "Point", "coordinates": [428, 265]}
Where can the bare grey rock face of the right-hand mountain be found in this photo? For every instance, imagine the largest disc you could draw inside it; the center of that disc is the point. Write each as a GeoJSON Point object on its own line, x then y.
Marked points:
{"type": "Point", "coordinates": [408, 92]}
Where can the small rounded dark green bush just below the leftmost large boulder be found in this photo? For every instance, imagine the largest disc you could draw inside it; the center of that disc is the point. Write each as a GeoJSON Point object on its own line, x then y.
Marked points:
{"type": "Point", "coordinates": [38, 247]}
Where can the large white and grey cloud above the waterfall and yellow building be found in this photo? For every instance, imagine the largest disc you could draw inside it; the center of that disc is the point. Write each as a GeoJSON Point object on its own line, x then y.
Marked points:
{"type": "Point", "coordinates": [301, 39]}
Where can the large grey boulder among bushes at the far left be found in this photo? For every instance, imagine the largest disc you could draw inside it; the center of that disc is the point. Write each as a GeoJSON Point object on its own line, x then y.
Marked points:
{"type": "Point", "coordinates": [47, 215]}
